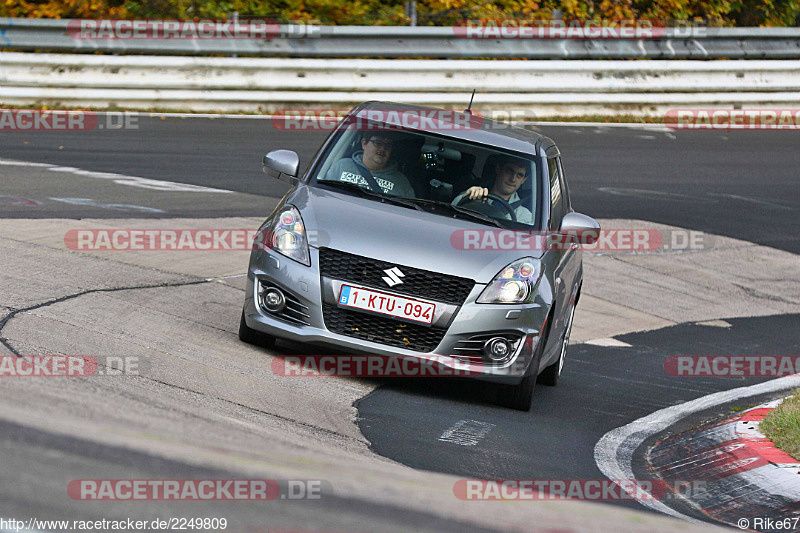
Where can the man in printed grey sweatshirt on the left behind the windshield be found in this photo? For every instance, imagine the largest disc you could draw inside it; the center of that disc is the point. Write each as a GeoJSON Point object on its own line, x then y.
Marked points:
{"type": "Point", "coordinates": [373, 158]}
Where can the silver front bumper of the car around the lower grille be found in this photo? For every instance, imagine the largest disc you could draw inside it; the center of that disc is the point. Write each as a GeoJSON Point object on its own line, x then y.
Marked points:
{"type": "Point", "coordinates": [310, 292]}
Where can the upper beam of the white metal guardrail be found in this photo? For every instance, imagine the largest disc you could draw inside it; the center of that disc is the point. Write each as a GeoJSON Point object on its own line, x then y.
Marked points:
{"type": "Point", "coordinates": [399, 75]}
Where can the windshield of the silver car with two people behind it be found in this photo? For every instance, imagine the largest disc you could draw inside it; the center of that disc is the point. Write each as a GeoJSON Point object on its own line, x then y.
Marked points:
{"type": "Point", "coordinates": [439, 174]}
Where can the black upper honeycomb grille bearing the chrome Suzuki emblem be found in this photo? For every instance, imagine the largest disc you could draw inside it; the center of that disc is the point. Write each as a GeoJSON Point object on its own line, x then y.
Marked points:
{"type": "Point", "coordinates": [416, 282]}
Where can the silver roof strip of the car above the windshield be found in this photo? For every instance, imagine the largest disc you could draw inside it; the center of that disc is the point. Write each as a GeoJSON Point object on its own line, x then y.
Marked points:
{"type": "Point", "coordinates": [479, 129]}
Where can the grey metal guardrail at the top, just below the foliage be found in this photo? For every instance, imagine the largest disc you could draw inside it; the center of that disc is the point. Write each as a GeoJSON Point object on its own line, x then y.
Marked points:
{"type": "Point", "coordinates": [412, 42]}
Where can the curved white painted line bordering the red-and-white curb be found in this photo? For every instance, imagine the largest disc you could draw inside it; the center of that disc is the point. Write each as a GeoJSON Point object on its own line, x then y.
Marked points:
{"type": "Point", "coordinates": [613, 453]}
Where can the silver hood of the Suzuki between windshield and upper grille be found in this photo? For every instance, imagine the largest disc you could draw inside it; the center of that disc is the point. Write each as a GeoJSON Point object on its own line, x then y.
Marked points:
{"type": "Point", "coordinates": [398, 235]}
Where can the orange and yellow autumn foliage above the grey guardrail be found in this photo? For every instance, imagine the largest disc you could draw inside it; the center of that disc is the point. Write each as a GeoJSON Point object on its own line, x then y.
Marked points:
{"type": "Point", "coordinates": [430, 12]}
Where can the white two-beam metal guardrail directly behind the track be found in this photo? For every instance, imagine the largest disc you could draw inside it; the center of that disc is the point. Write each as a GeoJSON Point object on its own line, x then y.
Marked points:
{"type": "Point", "coordinates": [525, 88]}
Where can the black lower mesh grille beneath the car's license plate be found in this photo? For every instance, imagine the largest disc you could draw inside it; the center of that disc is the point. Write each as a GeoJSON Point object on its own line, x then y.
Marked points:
{"type": "Point", "coordinates": [381, 330]}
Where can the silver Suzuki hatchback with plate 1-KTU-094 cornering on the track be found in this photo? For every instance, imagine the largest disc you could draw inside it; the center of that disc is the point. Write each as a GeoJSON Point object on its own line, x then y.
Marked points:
{"type": "Point", "coordinates": [424, 233]}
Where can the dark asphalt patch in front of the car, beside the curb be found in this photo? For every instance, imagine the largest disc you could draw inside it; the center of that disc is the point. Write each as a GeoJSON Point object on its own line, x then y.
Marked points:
{"type": "Point", "coordinates": [603, 388]}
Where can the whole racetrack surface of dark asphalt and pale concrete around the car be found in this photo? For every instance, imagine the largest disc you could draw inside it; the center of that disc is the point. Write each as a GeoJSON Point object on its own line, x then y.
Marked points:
{"type": "Point", "coordinates": [212, 410]}
